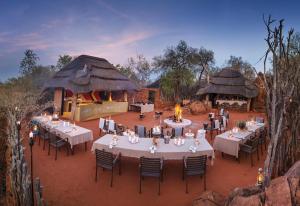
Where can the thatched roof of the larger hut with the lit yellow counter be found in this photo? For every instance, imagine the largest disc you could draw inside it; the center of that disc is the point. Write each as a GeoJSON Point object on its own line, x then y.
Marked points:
{"type": "Point", "coordinates": [87, 73]}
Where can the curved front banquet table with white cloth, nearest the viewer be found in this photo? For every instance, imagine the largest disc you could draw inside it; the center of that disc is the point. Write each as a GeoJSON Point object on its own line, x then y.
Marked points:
{"type": "Point", "coordinates": [142, 148]}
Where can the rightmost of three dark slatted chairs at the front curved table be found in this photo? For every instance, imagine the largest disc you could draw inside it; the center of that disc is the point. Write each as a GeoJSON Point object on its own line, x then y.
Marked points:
{"type": "Point", "coordinates": [194, 166]}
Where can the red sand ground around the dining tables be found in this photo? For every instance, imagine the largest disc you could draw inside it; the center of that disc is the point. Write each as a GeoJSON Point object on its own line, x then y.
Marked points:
{"type": "Point", "coordinates": [71, 179]}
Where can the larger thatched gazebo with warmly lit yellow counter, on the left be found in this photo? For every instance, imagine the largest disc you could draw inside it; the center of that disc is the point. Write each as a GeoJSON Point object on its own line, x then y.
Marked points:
{"type": "Point", "coordinates": [86, 87]}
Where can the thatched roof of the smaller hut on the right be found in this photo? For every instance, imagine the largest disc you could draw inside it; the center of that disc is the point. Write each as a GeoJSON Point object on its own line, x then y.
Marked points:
{"type": "Point", "coordinates": [229, 81]}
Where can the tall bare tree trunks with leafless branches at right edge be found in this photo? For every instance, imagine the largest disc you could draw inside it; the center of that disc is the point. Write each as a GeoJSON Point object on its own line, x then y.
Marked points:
{"type": "Point", "coordinates": [282, 99]}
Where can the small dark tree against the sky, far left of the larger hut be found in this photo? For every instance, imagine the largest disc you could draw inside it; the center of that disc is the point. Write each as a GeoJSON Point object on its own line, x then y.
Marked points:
{"type": "Point", "coordinates": [28, 62]}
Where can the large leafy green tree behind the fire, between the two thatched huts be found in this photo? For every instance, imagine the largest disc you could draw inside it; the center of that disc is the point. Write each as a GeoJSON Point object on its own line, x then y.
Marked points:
{"type": "Point", "coordinates": [176, 62]}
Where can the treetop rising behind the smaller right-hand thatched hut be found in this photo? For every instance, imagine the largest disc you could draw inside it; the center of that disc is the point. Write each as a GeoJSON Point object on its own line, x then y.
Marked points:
{"type": "Point", "coordinates": [237, 63]}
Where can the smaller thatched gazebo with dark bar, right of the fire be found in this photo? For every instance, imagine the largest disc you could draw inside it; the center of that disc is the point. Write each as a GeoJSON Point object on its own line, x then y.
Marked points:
{"type": "Point", "coordinates": [229, 89]}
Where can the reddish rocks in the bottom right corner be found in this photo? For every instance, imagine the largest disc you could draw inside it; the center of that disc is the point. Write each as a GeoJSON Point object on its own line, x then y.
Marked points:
{"type": "Point", "coordinates": [284, 190]}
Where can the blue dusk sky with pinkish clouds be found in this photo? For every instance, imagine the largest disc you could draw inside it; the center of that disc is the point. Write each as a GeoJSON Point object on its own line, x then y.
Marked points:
{"type": "Point", "coordinates": [117, 30]}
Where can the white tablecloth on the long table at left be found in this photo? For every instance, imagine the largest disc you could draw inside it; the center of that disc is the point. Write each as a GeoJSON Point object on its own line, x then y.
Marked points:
{"type": "Point", "coordinates": [75, 135]}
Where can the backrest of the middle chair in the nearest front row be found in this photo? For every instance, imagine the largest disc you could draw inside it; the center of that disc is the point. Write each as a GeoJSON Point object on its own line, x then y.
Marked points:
{"type": "Point", "coordinates": [150, 165]}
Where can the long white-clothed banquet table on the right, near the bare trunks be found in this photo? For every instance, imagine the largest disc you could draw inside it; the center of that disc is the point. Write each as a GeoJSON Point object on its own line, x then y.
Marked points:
{"type": "Point", "coordinates": [230, 145]}
